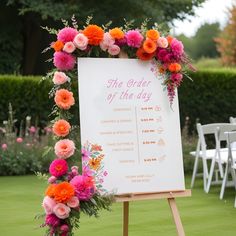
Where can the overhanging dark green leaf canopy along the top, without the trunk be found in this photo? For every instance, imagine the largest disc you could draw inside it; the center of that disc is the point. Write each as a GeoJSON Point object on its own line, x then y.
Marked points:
{"type": "Point", "coordinates": [158, 10]}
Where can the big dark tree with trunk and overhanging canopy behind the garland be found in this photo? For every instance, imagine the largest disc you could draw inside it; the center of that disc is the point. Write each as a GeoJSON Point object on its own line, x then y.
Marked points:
{"type": "Point", "coordinates": [34, 14]}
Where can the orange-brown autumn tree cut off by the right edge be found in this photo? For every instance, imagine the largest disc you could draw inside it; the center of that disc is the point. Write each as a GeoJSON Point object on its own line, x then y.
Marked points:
{"type": "Point", "coordinates": [226, 42]}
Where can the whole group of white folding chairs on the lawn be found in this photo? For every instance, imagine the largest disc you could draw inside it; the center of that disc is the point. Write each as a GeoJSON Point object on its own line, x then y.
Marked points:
{"type": "Point", "coordinates": [222, 159]}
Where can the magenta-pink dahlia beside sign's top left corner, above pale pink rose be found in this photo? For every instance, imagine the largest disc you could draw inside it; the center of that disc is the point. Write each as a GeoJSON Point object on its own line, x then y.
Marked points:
{"type": "Point", "coordinates": [63, 61]}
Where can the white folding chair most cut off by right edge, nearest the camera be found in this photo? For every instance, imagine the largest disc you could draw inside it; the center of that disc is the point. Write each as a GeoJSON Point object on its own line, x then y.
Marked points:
{"type": "Point", "coordinates": [230, 165]}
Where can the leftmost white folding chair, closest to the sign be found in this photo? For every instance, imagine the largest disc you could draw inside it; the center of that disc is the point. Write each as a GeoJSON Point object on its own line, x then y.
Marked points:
{"type": "Point", "coordinates": [203, 153]}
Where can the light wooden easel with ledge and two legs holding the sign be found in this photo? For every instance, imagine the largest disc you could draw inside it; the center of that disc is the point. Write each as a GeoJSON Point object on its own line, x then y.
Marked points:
{"type": "Point", "coordinates": [170, 196]}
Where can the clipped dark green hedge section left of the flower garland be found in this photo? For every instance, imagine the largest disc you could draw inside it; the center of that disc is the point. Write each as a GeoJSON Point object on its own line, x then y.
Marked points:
{"type": "Point", "coordinates": [28, 97]}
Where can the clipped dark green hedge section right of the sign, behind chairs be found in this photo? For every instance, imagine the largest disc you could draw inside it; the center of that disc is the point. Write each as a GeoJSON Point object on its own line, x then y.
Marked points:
{"type": "Point", "coordinates": [210, 98]}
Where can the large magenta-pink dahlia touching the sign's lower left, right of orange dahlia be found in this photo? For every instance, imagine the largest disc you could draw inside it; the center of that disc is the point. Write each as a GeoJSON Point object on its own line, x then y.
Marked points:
{"type": "Point", "coordinates": [84, 187]}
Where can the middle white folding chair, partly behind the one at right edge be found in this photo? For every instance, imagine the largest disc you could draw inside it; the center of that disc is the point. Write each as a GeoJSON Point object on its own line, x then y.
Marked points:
{"type": "Point", "coordinates": [221, 156]}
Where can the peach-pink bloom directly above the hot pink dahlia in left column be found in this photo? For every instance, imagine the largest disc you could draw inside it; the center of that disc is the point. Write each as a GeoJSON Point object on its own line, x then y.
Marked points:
{"type": "Point", "coordinates": [64, 148]}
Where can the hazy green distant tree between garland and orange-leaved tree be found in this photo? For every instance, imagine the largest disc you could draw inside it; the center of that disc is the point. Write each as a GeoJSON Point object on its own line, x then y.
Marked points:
{"type": "Point", "coordinates": [203, 43]}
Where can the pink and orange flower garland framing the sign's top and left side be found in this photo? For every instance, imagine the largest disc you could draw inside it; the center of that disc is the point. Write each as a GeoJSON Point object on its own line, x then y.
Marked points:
{"type": "Point", "coordinates": [71, 192]}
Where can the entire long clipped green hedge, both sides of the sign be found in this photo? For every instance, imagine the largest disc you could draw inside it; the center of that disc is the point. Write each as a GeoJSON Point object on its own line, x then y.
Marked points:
{"type": "Point", "coordinates": [211, 97]}
